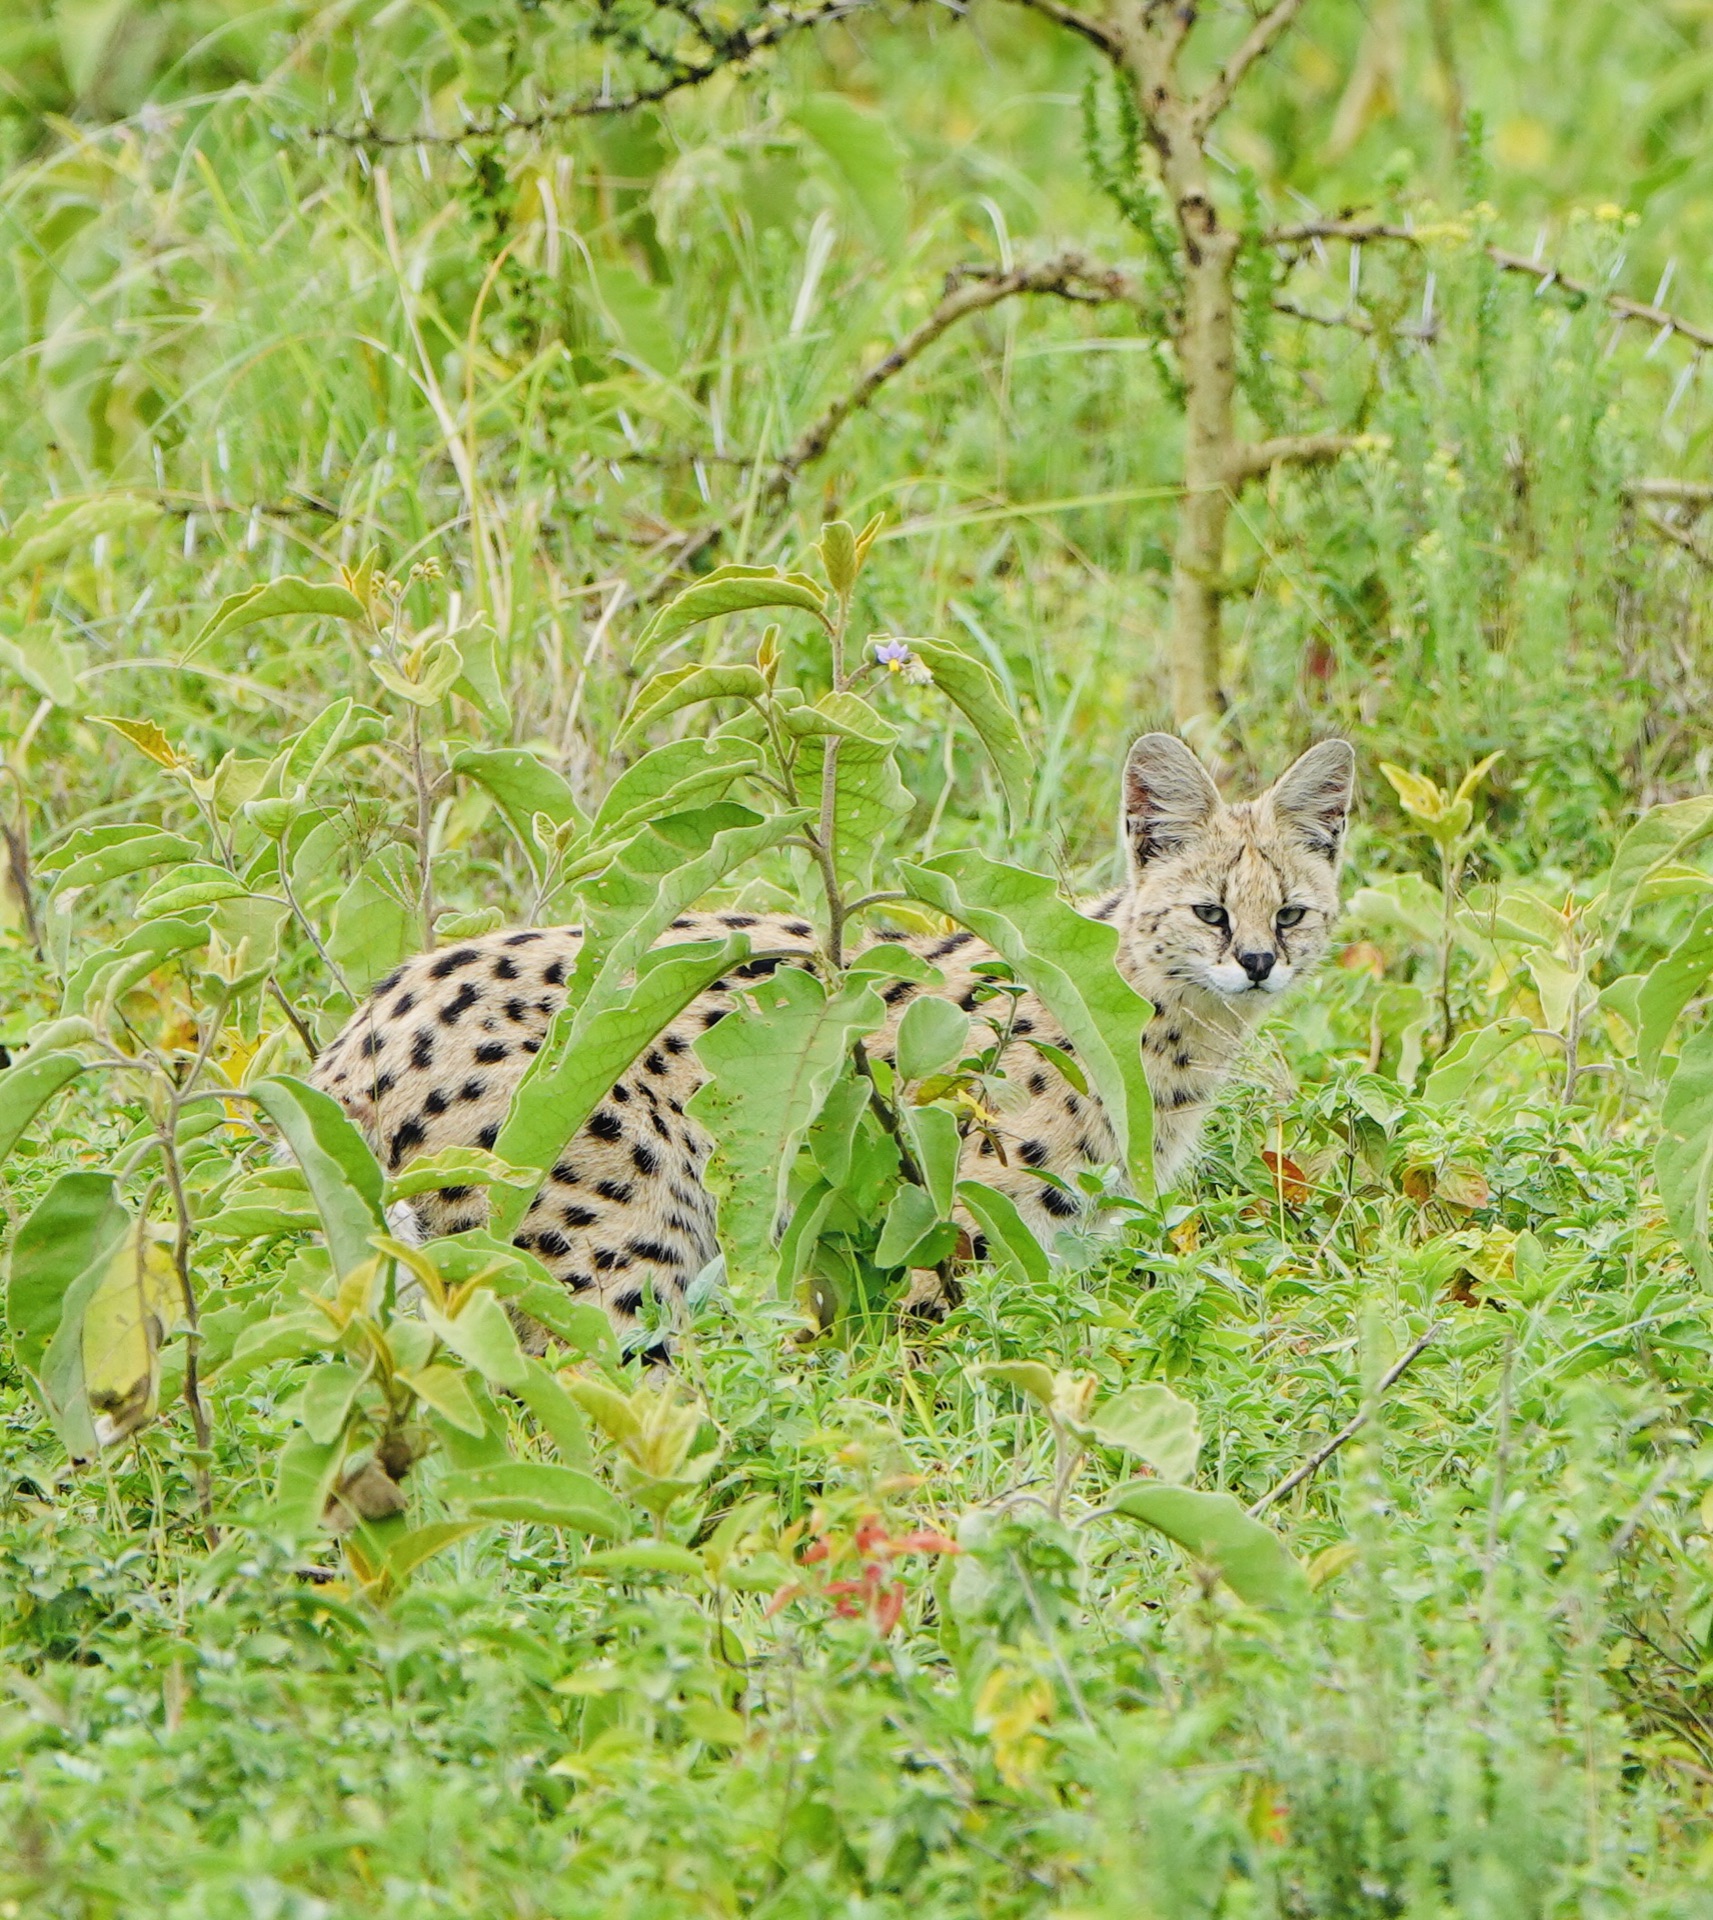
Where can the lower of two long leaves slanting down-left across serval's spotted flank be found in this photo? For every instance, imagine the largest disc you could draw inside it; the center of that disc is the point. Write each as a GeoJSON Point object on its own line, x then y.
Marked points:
{"type": "Point", "coordinates": [585, 1055]}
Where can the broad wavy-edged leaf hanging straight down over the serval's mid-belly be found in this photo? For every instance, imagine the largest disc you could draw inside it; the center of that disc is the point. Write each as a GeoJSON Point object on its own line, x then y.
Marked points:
{"type": "Point", "coordinates": [771, 1067]}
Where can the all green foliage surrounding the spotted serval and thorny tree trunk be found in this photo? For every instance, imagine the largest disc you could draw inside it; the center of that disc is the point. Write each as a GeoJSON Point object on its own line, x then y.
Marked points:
{"type": "Point", "coordinates": [498, 402]}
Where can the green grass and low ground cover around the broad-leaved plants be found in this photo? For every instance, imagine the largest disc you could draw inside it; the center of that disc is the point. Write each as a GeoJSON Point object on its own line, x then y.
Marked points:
{"type": "Point", "coordinates": [1503, 1700]}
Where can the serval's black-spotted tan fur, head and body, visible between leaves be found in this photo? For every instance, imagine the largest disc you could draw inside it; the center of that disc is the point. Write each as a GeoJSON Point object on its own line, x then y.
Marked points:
{"type": "Point", "coordinates": [433, 1059]}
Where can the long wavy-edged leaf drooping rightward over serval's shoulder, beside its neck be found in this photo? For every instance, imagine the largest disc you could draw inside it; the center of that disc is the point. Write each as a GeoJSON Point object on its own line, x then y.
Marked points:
{"type": "Point", "coordinates": [1073, 965]}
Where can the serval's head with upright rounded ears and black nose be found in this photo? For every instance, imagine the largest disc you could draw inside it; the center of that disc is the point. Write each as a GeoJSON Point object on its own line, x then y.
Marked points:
{"type": "Point", "coordinates": [1232, 900]}
